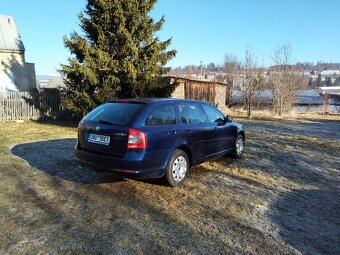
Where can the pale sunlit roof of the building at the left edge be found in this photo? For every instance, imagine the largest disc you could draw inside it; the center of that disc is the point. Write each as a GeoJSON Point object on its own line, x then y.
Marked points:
{"type": "Point", "coordinates": [9, 35]}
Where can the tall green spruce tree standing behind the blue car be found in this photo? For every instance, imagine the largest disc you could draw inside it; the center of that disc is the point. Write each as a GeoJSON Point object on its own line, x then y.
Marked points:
{"type": "Point", "coordinates": [118, 55]}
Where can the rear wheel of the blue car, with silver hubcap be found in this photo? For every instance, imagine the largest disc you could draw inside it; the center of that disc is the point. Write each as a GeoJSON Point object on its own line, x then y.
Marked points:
{"type": "Point", "coordinates": [177, 168]}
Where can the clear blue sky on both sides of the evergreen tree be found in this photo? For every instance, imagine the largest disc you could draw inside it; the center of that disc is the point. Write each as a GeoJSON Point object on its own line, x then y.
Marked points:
{"type": "Point", "coordinates": [201, 29]}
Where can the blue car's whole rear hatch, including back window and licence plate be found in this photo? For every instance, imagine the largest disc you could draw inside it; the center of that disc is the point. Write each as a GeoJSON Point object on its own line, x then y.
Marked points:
{"type": "Point", "coordinates": [106, 128]}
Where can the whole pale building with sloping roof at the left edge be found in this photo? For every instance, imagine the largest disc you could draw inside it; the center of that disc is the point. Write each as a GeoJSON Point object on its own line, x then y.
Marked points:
{"type": "Point", "coordinates": [15, 73]}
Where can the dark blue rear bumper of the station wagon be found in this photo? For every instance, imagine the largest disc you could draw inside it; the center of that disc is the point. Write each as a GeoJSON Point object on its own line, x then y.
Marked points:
{"type": "Point", "coordinates": [134, 164]}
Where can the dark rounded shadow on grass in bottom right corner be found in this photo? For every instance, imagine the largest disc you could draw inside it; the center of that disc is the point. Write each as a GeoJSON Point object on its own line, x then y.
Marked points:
{"type": "Point", "coordinates": [309, 220]}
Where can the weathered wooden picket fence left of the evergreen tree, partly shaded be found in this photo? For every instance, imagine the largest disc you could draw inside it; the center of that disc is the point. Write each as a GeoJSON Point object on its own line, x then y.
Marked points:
{"type": "Point", "coordinates": [30, 105]}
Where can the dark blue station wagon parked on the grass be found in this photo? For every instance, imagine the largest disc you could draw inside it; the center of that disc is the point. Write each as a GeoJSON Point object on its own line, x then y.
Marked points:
{"type": "Point", "coordinates": [155, 138]}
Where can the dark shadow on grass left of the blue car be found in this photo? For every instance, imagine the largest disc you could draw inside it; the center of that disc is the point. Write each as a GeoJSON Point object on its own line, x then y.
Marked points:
{"type": "Point", "coordinates": [56, 158]}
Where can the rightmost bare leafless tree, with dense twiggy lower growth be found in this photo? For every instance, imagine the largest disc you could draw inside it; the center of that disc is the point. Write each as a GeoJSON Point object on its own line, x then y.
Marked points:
{"type": "Point", "coordinates": [284, 80]}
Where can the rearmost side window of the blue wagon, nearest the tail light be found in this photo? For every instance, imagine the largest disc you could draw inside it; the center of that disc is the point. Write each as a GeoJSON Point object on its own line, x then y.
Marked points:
{"type": "Point", "coordinates": [162, 115]}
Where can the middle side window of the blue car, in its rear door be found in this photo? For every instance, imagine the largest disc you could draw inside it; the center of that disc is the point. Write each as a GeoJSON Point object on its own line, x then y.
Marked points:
{"type": "Point", "coordinates": [191, 113]}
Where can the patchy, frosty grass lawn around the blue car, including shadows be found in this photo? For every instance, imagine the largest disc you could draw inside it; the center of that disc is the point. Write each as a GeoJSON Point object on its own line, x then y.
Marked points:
{"type": "Point", "coordinates": [282, 197]}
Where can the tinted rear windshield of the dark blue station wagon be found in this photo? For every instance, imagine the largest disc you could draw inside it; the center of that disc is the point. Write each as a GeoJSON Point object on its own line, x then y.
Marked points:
{"type": "Point", "coordinates": [114, 113]}
